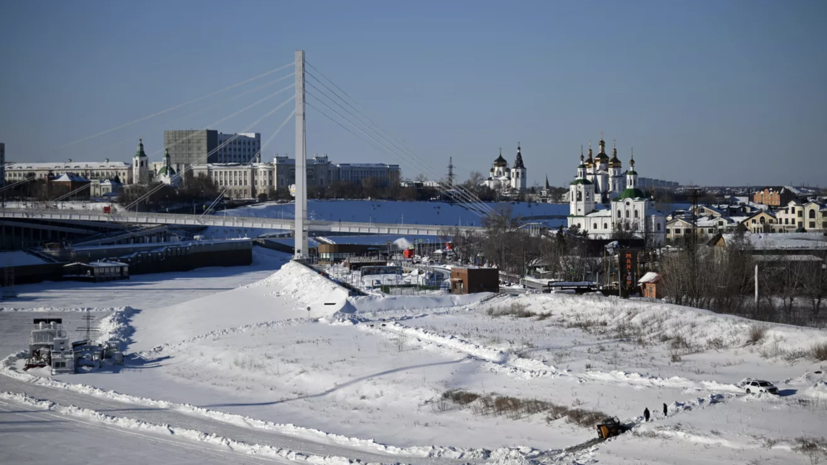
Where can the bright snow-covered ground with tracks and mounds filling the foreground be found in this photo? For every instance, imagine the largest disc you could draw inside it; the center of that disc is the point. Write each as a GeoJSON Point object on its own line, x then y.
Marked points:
{"type": "Point", "coordinates": [287, 363]}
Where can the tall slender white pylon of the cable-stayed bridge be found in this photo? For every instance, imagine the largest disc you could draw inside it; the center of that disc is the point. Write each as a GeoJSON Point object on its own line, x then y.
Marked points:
{"type": "Point", "coordinates": [300, 231]}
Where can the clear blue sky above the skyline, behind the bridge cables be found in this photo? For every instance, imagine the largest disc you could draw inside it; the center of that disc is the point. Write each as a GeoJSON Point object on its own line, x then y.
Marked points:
{"type": "Point", "coordinates": [712, 92]}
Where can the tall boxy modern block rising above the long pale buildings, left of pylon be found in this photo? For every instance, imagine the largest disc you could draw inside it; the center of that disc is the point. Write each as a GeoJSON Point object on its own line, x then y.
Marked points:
{"type": "Point", "coordinates": [204, 146]}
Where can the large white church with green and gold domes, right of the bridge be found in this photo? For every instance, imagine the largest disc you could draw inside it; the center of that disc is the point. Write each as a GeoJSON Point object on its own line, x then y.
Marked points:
{"type": "Point", "coordinates": [631, 209]}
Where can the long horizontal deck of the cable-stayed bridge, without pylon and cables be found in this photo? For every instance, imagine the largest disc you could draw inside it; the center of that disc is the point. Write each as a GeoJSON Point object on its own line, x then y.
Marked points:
{"type": "Point", "coordinates": [227, 221]}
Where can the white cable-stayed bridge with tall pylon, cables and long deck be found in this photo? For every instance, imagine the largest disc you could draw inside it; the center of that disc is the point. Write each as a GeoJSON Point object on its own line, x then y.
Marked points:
{"type": "Point", "coordinates": [330, 101]}
